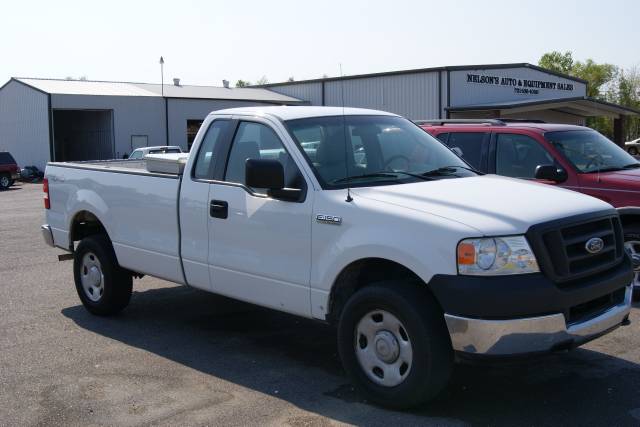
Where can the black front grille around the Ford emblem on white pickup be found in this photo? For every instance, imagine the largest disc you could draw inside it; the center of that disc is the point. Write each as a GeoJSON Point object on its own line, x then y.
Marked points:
{"type": "Point", "coordinates": [561, 246]}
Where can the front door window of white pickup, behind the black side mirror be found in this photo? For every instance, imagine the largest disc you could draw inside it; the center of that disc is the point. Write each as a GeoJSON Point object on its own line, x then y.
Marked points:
{"type": "Point", "coordinates": [258, 141]}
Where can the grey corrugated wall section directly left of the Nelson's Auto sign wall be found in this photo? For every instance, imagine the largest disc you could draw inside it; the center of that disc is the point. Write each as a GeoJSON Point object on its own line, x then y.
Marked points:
{"type": "Point", "coordinates": [414, 96]}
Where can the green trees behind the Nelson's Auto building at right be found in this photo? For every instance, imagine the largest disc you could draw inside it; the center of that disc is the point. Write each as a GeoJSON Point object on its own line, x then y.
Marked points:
{"type": "Point", "coordinates": [607, 82]}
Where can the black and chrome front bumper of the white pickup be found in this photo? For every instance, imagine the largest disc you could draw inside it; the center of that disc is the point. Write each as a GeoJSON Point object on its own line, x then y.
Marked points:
{"type": "Point", "coordinates": [515, 315]}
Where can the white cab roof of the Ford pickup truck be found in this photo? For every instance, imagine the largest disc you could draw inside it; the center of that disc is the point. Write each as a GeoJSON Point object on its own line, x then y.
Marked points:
{"type": "Point", "coordinates": [301, 112]}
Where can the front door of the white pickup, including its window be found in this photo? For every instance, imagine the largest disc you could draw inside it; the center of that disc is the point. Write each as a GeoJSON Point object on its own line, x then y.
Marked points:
{"type": "Point", "coordinates": [259, 247]}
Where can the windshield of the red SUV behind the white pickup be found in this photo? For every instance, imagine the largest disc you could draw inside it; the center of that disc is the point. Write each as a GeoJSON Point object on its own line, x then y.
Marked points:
{"type": "Point", "coordinates": [589, 151]}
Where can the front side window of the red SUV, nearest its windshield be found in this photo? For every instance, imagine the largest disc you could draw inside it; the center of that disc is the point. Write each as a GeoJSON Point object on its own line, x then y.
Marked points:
{"type": "Point", "coordinates": [518, 155]}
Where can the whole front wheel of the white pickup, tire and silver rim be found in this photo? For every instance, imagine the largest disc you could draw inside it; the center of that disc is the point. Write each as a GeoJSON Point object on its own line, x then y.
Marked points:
{"type": "Point", "coordinates": [394, 344]}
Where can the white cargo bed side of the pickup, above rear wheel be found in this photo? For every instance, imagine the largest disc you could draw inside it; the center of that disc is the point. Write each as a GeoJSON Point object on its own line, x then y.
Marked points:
{"type": "Point", "coordinates": [138, 208]}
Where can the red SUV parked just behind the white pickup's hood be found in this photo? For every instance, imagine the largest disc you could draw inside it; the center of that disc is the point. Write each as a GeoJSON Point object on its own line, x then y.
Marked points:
{"type": "Point", "coordinates": [572, 157]}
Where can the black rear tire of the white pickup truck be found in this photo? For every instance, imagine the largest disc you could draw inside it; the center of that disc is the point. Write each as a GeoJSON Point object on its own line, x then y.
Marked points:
{"type": "Point", "coordinates": [116, 283]}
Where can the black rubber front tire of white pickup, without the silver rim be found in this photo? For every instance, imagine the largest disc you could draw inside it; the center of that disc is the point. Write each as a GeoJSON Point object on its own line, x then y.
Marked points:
{"type": "Point", "coordinates": [423, 321]}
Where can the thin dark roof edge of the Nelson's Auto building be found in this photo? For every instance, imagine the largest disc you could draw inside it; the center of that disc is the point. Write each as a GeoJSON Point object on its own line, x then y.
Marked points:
{"type": "Point", "coordinates": [424, 70]}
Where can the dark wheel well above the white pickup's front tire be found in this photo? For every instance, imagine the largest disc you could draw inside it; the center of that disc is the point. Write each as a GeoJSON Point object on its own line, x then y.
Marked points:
{"type": "Point", "coordinates": [362, 273]}
